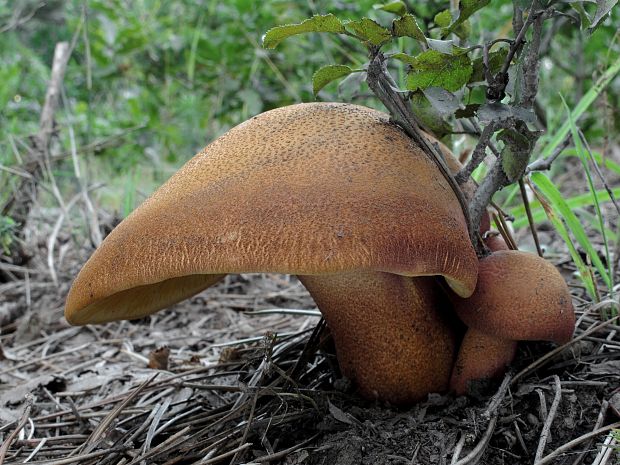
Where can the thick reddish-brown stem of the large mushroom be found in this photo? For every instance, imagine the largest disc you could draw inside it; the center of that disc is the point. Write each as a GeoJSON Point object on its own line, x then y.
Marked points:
{"type": "Point", "coordinates": [391, 336]}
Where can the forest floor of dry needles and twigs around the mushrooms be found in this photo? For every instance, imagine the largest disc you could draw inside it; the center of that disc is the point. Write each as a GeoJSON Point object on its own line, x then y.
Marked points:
{"type": "Point", "coordinates": [233, 375]}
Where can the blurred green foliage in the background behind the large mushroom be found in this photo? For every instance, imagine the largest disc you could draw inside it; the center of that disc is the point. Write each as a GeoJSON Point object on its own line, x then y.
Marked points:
{"type": "Point", "coordinates": [150, 82]}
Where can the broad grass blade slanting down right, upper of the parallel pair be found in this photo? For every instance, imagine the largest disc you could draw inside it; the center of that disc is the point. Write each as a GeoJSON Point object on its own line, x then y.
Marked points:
{"type": "Point", "coordinates": [560, 207]}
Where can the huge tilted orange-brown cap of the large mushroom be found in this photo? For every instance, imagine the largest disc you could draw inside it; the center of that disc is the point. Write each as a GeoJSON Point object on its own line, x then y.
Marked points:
{"type": "Point", "coordinates": [306, 189]}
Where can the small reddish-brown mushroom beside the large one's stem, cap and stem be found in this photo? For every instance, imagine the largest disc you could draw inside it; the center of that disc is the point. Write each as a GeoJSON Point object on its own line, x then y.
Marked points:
{"type": "Point", "coordinates": [519, 296]}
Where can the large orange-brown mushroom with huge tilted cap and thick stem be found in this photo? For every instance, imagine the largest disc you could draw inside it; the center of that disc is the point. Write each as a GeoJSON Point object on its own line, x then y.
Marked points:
{"type": "Point", "coordinates": [334, 193]}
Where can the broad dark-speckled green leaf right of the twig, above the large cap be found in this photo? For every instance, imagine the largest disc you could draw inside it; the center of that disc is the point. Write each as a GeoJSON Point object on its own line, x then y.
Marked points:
{"type": "Point", "coordinates": [431, 68]}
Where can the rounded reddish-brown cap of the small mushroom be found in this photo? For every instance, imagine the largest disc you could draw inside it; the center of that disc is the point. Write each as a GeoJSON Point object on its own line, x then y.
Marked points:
{"type": "Point", "coordinates": [519, 296]}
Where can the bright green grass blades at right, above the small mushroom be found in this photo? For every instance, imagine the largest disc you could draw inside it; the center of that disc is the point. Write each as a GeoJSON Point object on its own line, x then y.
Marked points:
{"type": "Point", "coordinates": [572, 216]}
